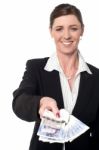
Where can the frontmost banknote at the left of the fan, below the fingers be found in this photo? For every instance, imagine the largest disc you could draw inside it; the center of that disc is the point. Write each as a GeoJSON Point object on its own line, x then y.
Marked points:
{"type": "Point", "coordinates": [51, 129]}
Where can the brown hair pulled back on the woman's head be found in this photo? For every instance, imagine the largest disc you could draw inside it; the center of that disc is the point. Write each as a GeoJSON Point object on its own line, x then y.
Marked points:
{"type": "Point", "coordinates": [65, 9]}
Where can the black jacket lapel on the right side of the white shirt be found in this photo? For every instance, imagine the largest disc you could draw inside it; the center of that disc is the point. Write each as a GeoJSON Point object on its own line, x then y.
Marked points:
{"type": "Point", "coordinates": [85, 89]}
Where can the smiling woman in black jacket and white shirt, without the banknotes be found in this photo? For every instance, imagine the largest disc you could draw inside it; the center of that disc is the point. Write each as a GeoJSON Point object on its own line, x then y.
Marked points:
{"type": "Point", "coordinates": [64, 80]}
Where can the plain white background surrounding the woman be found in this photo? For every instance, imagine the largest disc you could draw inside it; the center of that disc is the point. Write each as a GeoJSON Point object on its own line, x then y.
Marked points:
{"type": "Point", "coordinates": [24, 34]}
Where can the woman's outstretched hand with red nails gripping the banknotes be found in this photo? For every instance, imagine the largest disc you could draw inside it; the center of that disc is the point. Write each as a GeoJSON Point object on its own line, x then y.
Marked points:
{"type": "Point", "coordinates": [49, 104]}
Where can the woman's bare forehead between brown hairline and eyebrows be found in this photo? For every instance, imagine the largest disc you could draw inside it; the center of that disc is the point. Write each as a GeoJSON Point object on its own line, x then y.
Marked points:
{"type": "Point", "coordinates": [66, 20]}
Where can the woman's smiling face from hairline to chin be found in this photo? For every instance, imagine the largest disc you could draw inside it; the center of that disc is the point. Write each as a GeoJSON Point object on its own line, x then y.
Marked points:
{"type": "Point", "coordinates": [66, 31]}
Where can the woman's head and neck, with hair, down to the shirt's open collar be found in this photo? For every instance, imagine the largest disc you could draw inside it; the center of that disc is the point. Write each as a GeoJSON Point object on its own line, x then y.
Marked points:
{"type": "Point", "coordinates": [66, 28]}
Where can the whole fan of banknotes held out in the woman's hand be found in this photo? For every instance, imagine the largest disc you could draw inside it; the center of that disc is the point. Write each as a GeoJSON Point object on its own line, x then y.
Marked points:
{"type": "Point", "coordinates": [61, 129]}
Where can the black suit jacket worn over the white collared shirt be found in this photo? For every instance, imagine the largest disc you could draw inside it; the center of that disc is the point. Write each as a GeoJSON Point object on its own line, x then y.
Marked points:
{"type": "Point", "coordinates": [37, 83]}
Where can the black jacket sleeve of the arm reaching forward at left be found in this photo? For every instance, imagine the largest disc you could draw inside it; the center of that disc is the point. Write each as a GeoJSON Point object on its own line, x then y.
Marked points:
{"type": "Point", "coordinates": [26, 98]}
